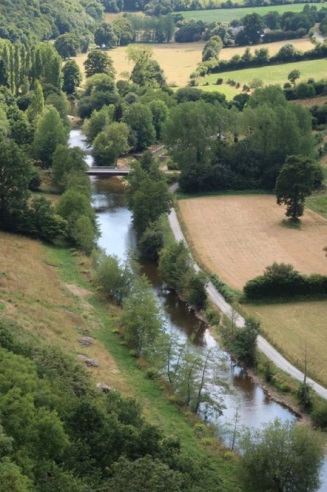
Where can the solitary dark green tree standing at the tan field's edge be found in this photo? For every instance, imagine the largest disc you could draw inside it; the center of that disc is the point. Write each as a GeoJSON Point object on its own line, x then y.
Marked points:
{"type": "Point", "coordinates": [295, 182]}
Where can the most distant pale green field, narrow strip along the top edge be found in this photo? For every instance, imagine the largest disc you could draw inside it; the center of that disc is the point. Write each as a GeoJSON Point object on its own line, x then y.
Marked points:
{"type": "Point", "coordinates": [227, 15]}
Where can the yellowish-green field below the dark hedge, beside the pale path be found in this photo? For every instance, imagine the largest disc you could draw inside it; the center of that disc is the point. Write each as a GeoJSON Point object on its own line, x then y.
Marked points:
{"type": "Point", "coordinates": [294, 328]}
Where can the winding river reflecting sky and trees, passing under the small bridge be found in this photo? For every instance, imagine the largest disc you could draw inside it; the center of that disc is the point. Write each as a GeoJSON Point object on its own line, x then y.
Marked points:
{"type": "Point", "coordinates": [117, 237]}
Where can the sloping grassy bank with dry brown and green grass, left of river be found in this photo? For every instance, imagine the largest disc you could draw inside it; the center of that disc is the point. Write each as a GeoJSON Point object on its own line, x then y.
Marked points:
{"type": "Point", "coordinates": [48, 291]}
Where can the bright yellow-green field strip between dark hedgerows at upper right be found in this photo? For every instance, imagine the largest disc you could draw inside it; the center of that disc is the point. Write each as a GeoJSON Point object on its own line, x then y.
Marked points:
{"type": "Point", "coordinates": [275, 74]}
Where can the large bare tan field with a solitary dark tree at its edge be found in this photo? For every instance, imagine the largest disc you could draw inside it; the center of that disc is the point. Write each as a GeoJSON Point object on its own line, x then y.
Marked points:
{"type": "Point", "coordinates": [237, 236]}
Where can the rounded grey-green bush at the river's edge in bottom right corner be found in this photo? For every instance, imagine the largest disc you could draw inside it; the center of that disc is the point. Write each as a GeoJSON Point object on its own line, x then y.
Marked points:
{"type": "Point", "coordinates": [281, 456]}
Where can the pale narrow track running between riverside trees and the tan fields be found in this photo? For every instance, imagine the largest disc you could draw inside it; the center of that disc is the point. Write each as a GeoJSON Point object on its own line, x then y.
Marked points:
{"type": "Point", "coordinates": [226, 309]}
